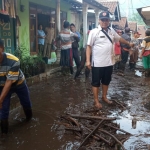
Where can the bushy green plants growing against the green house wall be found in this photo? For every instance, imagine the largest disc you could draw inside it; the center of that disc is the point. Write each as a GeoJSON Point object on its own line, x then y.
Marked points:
{"type": "Point", "coordinates": [30, 65]}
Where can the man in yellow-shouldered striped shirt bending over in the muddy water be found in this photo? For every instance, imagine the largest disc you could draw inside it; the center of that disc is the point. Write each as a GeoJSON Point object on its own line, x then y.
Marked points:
{"type": "Point", "coordinates": [12, 80]}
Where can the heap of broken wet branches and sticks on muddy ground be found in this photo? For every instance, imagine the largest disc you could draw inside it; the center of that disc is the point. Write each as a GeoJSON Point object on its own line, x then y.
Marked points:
{"type": "Point", "coordinates": [102, 130]}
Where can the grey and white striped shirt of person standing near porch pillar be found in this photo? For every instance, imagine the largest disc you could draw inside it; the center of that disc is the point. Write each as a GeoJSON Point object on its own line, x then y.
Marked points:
{"type": "Point", "coordinates": [66, 38]}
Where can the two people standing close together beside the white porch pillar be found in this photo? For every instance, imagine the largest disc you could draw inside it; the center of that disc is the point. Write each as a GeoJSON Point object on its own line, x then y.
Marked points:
{"type": "Point", "coordinates": [69, 42]}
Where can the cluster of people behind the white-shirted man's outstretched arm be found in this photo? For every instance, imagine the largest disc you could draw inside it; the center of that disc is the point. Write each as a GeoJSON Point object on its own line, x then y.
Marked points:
{"type": "Point", "coordinates": [122, 51]}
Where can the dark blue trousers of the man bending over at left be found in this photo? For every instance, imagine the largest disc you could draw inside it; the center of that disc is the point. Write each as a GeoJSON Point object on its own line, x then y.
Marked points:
{"type": "Point", "coordinates": [23, 94]}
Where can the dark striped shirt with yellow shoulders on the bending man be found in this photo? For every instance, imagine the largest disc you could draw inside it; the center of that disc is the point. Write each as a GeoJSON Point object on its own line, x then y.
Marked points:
{"type": "Point", "coordinates": [10, 70]}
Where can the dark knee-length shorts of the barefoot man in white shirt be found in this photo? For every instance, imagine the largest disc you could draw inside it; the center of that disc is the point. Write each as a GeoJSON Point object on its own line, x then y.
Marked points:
{"type": "Point", "coordinates": [101, 75]}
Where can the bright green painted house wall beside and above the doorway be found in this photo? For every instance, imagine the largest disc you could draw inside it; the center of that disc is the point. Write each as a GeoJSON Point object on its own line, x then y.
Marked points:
{"type": "Point", "coordinates": [24, 37]}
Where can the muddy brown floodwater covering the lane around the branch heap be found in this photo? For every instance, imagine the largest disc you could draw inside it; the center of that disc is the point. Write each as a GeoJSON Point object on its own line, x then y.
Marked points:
{"type": "Point", "coordinates": [62, 94]}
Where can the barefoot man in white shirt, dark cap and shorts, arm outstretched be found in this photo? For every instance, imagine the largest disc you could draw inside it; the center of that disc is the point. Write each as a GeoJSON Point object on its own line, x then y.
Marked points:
{"type": "Point", "coordinates": [100, 46]}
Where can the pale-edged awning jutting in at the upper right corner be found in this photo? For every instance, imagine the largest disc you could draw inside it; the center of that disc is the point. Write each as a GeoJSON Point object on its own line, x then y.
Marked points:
{"type": "Point", "coordinates": [145, 14]}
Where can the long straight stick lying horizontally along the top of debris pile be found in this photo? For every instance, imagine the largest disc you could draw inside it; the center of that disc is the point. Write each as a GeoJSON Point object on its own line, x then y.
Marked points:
{"type": "Point", "coordinates": [92, 117]}
